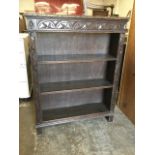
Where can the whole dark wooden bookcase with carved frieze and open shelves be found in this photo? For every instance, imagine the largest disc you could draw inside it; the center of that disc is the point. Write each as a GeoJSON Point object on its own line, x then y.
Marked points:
{"type": "Point", "coordinates": [76, 65]}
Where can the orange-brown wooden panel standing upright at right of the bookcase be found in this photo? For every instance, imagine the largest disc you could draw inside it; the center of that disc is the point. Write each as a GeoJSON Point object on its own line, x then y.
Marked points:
{"type": "Point", "coordinates": [127, 90]}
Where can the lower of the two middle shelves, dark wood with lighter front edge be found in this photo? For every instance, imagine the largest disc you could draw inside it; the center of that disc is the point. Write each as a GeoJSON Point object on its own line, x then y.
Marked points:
{"type": "Point", "coordinates": [68, 86]}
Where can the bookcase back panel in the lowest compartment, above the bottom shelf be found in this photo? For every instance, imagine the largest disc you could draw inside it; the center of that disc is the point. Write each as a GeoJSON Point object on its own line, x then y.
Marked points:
{"type": "Point", "coordinates": [71, 99]}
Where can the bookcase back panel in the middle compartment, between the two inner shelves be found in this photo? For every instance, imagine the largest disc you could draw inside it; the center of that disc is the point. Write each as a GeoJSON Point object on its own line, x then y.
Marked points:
{"type": "Point", "coordinates": [71, 72]}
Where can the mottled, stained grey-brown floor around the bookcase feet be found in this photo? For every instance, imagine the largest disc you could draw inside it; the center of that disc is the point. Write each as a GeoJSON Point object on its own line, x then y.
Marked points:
{"type": "Point", "coordinates": [89, 137]}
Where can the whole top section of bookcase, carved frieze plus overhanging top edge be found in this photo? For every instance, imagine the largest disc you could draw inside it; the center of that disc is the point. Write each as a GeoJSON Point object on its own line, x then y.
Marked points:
{"type": "Point", "coordinates": [86, 24]}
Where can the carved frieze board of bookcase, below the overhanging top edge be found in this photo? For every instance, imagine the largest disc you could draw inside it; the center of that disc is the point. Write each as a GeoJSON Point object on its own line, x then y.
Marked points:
{"type": "Point", "coordinates": [75, 24]}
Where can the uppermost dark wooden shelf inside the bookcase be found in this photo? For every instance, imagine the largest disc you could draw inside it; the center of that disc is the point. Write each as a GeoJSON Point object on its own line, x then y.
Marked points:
{"type": "Point", "coordinates": [74, 58]}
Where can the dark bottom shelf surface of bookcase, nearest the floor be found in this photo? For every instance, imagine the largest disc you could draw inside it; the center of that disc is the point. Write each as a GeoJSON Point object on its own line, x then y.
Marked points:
{"type": "Point", "coordinates": [73, 111]}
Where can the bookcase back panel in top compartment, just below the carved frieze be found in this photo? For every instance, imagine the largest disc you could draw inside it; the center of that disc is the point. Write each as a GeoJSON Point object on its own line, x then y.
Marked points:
{"type": "Point", "coordinates": [71, 43]}
